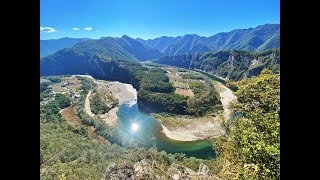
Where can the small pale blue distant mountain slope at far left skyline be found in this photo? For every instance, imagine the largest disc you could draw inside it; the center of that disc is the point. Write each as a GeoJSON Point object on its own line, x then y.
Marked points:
{"type": "Point", "coordinates": [53, 45]}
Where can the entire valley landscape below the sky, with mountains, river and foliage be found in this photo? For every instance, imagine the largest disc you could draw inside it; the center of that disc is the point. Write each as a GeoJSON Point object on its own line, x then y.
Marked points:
{"type": "Point", "coordinates": [124, 103]}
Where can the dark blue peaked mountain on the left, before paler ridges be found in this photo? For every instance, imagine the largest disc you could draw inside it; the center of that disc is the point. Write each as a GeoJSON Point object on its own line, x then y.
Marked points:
{"type": "Point", "coordinates": [79, 58]}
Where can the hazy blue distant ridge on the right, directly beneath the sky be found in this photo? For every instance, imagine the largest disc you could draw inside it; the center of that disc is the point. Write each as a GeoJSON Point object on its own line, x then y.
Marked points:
{"type": "Point", "coordinates": [261, 38]}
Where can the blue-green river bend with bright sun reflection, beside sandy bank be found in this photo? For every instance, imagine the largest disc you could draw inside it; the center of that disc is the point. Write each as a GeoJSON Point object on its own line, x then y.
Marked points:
{"type": "Point", "coordinates": [144, 130]}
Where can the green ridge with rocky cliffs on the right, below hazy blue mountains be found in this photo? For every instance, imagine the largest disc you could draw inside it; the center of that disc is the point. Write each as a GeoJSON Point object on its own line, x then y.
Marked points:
{"type": "Point", "coordinates": [227, 64]}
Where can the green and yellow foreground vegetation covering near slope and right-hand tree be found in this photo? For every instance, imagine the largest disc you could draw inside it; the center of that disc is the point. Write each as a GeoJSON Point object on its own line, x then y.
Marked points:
{"type": "Point", "coordinates": [250, 150]}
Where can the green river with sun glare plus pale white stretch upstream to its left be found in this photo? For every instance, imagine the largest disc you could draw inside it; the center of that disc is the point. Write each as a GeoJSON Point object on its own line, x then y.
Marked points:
{"type": "Point", "coordinates": [134, 126]}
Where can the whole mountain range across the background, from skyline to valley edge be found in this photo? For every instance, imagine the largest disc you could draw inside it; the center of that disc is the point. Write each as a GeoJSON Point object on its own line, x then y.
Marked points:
{"type": "Point", "coordinates": [219, 54]}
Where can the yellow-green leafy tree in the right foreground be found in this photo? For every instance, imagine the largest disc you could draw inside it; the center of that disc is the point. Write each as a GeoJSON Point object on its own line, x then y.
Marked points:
{"type": "Point", "coordinates": [253, 148]}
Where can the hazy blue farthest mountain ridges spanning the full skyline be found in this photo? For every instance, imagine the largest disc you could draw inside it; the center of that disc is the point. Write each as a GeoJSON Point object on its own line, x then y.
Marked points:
{"type": "Point", "coordinates": [261, 38]}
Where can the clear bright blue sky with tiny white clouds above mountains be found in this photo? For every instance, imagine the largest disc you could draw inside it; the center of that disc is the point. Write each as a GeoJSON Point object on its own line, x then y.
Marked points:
{"type": "Point", "coordinates": [151, 18]}
